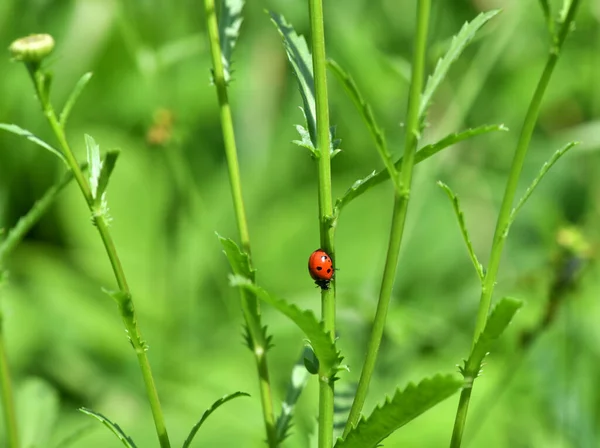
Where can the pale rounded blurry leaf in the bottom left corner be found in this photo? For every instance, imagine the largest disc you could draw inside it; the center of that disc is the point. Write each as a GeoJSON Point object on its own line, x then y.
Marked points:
{"type": "Point", "coordinates": [38, 408]}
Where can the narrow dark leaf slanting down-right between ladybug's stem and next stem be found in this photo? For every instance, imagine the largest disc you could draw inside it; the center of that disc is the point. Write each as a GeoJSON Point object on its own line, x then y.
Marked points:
{"type": "Point", "coordinates": [367, 114]}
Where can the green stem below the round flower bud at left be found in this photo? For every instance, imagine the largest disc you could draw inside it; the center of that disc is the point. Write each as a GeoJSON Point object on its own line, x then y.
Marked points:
{"type": "Point", "coordinates": [126, 308]}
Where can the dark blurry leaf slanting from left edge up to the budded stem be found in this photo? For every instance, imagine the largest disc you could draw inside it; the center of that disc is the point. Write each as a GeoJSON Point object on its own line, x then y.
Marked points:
{"type": "Point", "coordinates": [25, 223]}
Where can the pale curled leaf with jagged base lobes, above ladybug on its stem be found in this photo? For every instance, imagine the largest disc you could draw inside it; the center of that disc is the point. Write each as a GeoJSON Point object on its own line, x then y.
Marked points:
{"type": "Point", "coordinates": [301, 61]}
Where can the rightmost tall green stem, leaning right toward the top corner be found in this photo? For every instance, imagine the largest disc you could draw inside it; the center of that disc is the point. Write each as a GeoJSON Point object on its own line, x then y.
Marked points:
{"type": "Point", "coordinates": [503, 221]}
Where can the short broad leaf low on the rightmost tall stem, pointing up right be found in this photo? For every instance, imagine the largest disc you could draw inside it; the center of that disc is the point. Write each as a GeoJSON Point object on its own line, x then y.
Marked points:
{"type": "Point", "coordinates": [497, 322]}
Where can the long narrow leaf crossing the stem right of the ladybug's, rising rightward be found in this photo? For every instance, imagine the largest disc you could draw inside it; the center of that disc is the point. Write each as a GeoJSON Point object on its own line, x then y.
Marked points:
{"type": "Point", "coordinates": [376, 177]}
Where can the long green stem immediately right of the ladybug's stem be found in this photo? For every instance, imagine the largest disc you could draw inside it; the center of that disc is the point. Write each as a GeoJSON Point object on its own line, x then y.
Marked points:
{"type": "Point", "coordinates": [399, 214]}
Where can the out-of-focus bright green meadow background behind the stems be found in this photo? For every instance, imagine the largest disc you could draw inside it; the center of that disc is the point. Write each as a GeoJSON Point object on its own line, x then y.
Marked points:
{"type": "Point", "coordinates": [150, 96]}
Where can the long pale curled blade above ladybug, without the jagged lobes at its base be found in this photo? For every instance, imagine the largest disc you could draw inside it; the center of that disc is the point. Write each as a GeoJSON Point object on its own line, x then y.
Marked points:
{"type": "Point", "coordinates": [301, 62]}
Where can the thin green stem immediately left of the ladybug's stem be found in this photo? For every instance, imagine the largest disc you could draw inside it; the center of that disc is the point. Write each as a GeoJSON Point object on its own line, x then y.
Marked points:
{"type": "Point", "coordinates": [250, 306]}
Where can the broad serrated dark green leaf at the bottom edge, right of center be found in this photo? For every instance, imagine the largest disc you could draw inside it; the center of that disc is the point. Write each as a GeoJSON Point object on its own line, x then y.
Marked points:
{"type": "Point", "coordinates": [405, 406]}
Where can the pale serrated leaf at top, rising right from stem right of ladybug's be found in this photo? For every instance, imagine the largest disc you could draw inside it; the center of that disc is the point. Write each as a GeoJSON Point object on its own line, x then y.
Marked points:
{"type": "Point", "coordinates": [458, 44]}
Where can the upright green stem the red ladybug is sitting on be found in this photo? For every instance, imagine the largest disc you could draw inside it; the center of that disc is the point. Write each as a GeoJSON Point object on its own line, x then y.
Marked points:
{"type": "Point", "coordinates": [326, 384]}
